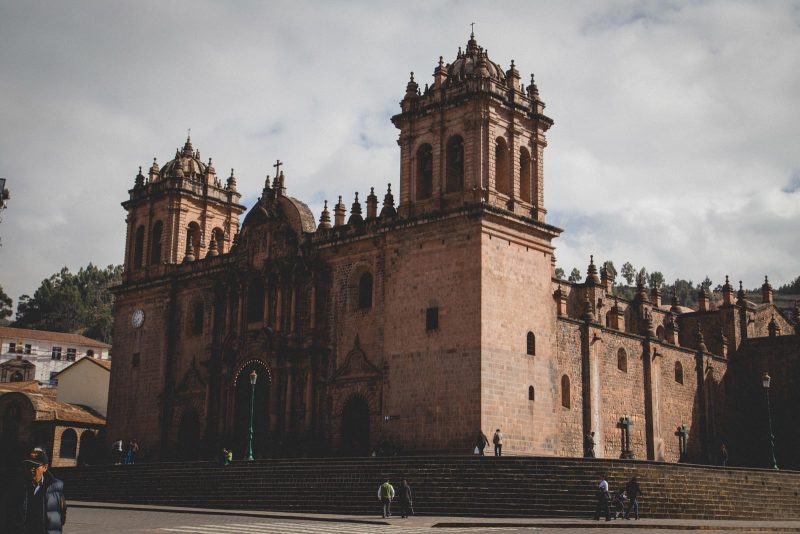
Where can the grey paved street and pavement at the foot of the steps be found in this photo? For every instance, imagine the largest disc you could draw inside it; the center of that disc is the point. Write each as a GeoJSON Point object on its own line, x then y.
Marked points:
{"type": "Point", "coordinates": [98, 518]}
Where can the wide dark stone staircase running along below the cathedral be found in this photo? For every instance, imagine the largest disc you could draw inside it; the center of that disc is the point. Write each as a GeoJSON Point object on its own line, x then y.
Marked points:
{"type": "Point", "coordinates": [444, 485]}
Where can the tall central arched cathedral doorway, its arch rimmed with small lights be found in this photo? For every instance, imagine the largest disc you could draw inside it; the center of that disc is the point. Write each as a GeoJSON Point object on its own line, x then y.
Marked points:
{"type": "Point", "coordinates": [241, 420]}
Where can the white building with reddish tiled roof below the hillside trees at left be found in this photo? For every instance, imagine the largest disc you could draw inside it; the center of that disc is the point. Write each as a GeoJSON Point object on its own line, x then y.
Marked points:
{"type": "Point", "coordinates": [41, 355]}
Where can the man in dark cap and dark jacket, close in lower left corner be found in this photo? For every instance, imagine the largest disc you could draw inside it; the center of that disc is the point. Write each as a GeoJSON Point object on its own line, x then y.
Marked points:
{"type": "Point", "coordinates": [34, 504]}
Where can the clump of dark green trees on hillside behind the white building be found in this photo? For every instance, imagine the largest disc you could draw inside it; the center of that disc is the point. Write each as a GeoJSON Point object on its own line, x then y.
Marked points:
{"type": "Point", "coordinates": [78, 303]}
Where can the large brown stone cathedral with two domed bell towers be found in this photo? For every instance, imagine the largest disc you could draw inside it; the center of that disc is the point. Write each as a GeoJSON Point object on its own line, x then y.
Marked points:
{"type": "Point", "coordinates": [421, 316]}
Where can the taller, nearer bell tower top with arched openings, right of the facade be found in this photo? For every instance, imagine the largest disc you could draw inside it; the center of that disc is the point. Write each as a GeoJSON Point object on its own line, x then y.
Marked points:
{"type": "Point", "coordinates": [476, 134]}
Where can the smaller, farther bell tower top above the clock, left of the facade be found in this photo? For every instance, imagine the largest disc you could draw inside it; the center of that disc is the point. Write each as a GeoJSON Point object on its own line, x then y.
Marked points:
{"type": "Point", "coordinates": [179, 212]}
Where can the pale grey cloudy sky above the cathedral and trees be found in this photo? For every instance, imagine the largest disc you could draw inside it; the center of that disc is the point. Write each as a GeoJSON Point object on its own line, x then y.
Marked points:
{"type": "Point", "coordinates": [675, 144]}
